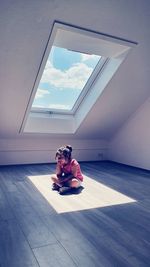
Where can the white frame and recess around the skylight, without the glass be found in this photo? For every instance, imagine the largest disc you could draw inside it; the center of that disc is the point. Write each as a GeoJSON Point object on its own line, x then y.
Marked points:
{"type": "Point", "coordinates": [113, 50]}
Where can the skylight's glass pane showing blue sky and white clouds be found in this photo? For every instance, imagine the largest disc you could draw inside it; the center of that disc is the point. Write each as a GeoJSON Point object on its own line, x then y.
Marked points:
{"type": "Point", "coordinates": [64, 77]}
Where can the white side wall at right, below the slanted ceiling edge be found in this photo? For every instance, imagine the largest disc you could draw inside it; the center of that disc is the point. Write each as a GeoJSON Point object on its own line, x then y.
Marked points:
{"type": "Point", "coordinates": [131, 145]}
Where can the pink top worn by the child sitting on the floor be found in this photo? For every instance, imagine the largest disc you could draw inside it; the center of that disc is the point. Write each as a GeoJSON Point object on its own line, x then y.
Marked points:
{"type": "Point", "coordinates": [68, 168]}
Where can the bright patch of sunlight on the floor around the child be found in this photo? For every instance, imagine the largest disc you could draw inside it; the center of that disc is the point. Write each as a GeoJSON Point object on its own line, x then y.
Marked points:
{"type": "Point", "coordinates": [94, 195]}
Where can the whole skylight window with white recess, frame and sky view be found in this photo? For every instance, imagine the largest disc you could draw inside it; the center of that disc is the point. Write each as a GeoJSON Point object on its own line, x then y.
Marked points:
{"type": "Point", "coordinates": [76, 67]}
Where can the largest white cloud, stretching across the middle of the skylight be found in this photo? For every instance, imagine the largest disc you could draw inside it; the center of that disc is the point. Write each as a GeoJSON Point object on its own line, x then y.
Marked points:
{"type": "Point", "coordinates": [74, 77]}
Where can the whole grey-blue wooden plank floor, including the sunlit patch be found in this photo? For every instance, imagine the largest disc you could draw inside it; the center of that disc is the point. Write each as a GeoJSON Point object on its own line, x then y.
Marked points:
{"type": "Point", "coordinates": [106, 224]}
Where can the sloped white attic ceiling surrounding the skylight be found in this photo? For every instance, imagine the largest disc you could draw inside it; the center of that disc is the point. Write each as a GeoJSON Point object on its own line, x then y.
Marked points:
{"type": "Point", "coordinates": [24, 31]}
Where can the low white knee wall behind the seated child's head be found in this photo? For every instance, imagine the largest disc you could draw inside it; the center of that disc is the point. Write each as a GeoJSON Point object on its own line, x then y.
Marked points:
{"type": "Point", "coordinates": [42, 150]}
